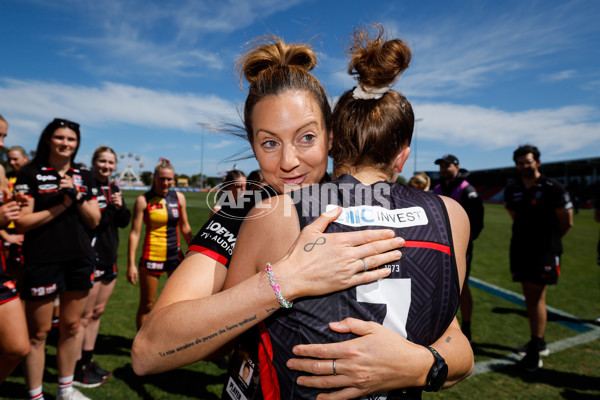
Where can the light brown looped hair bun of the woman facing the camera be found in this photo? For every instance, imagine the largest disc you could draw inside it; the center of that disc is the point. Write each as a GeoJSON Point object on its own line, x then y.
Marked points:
{"type": "Point", "coordinates": [272, 52]}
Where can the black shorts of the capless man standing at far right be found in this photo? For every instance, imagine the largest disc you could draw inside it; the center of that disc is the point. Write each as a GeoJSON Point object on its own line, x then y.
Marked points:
{"type": "Point", "coordinates": [539, 268]}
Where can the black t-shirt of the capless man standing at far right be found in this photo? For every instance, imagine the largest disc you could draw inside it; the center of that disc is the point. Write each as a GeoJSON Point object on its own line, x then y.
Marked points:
{"type": "Point", "coordinates": [536, 227]}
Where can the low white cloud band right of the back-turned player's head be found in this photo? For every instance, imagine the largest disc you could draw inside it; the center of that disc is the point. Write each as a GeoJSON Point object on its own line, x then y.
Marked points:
{"type": "Point", "coordinates": [558, 131]}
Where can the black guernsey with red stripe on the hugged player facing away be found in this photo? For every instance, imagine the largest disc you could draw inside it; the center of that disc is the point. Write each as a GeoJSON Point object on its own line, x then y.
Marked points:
{"type": "Point", "coordinates": [418, 300]}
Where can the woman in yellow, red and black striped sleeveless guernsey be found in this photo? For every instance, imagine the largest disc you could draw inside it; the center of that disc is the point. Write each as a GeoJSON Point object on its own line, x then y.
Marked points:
{"type": "Point", "coordinates": [163, 212]}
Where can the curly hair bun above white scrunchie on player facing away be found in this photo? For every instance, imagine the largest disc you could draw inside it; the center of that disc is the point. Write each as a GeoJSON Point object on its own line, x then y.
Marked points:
{"type": "Point", "coordinates": [376, 62]}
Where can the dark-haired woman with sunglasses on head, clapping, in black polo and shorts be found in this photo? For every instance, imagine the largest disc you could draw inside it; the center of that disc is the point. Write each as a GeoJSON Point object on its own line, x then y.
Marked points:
{"type": "Point", "coordinates": [59, 258]}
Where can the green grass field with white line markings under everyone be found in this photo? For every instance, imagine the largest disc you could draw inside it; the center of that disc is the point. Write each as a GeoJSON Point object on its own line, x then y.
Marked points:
{"type": "Point", "coordinates": [499, 325]}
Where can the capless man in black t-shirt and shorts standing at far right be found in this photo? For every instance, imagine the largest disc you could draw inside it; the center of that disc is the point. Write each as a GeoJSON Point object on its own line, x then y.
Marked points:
{"type": "Point", "coordinates": [542, 213]}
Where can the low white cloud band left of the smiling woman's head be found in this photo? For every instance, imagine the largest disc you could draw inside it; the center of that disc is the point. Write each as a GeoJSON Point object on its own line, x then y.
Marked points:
{"type": "Point", "coordinates": [33, 103]}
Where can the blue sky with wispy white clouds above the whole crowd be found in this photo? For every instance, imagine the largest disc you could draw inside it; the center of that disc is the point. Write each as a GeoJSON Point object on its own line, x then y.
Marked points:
{"type": "Point", "coordinates": [142, 76]}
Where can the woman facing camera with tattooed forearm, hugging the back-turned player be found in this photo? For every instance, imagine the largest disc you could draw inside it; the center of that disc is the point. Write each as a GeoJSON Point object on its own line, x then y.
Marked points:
{"type": "Point", "coordinates": [292, 152]}
